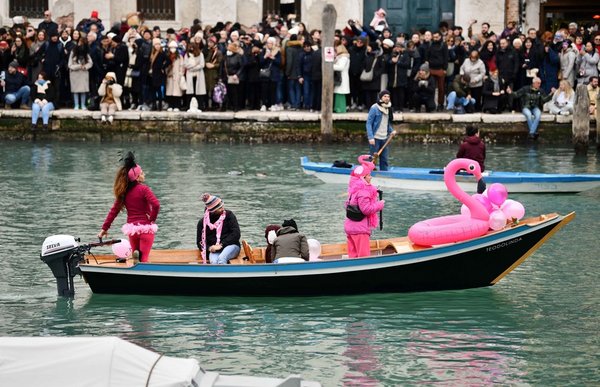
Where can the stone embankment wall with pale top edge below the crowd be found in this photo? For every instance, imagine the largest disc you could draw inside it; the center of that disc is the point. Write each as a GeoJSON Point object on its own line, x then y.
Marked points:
{"type": "Point", "coordinates": [273, 127]}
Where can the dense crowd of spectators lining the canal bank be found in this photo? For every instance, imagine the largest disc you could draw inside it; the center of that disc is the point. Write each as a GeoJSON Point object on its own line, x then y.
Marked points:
{"type": "Point", "coordinates": [276, 64]}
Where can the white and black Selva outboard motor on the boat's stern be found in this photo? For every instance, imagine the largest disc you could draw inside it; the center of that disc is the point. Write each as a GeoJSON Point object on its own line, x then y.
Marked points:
{"type": "Point", "coordinates": [62, 254]}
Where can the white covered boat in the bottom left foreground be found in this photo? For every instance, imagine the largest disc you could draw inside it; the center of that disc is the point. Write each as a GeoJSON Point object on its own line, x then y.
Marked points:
{"type": "Point", "coordinates": [110, 361]}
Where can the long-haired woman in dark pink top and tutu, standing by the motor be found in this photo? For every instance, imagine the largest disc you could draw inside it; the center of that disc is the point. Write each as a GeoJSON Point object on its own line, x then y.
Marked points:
{"type": "Point", "coordinates": [141, 205]}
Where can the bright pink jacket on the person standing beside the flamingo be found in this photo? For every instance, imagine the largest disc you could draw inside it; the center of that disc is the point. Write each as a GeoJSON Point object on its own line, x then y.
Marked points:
{"type": "Point", "coordinates": [365, 195]}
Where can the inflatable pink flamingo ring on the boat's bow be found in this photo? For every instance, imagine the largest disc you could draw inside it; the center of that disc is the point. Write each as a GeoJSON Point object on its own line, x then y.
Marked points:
{"type": "Point", "coordinates": [454, 228]}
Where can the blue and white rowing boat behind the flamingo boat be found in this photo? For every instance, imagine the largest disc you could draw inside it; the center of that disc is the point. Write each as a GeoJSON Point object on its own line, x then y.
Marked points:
{"type": "Point", "coordinates": [430, 179]}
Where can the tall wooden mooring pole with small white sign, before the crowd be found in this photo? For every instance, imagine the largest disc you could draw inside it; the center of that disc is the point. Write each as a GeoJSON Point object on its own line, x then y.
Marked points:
{"type": "Point", "coordinates": [328, 54]}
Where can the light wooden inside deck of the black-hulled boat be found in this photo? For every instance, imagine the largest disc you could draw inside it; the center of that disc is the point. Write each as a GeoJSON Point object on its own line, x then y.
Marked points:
{"type": "Point", "coordinates": [249, 255]}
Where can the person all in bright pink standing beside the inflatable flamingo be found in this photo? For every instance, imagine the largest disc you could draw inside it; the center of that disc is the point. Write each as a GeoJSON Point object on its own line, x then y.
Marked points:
{"type": "Point", "coordinates": [363, 194]}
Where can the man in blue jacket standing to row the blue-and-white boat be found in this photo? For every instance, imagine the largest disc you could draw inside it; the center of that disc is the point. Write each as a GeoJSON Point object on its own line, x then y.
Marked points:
{"type": "Point", "coordinates": [379, 128]}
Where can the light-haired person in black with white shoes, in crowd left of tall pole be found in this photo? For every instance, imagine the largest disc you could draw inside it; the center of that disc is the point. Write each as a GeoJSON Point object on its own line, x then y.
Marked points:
{"type": "Point", "coordinates": [270, 60]}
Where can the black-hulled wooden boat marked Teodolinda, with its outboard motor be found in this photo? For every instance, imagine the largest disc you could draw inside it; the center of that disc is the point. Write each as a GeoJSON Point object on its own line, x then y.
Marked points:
{"type": "Point", "coordinates": [396, 265]}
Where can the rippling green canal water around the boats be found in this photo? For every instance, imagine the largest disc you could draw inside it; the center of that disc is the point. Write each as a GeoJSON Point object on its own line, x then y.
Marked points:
{"type": "Point", "coordinates": [539, 326]}
